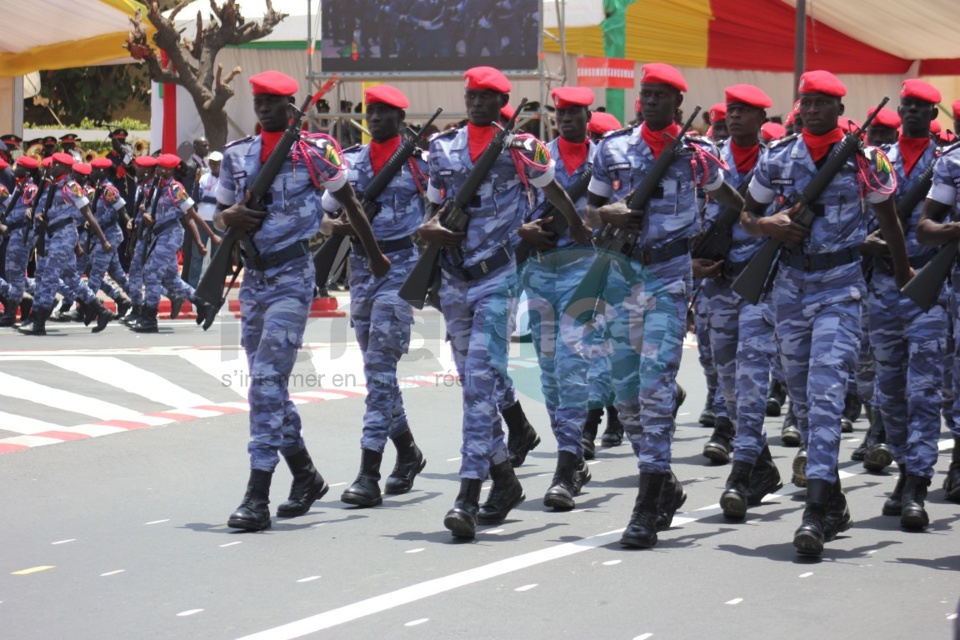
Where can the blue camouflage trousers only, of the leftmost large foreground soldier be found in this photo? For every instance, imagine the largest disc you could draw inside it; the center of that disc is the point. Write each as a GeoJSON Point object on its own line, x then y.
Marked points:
{"type": "Point", "coordinates": [273, 315]}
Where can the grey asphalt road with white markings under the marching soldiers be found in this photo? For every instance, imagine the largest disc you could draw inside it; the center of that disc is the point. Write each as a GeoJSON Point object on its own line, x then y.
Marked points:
{"type": "Point", "coordinates": [122, 534]}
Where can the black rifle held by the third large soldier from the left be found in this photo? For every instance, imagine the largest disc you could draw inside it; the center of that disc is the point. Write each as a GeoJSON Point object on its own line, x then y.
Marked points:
{"type": "Point", "coordinates": [455, 218]}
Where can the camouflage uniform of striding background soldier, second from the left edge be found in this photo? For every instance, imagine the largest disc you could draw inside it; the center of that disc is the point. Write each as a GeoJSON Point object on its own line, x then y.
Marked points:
{"type": "Point", "coordinates": [60, 261]}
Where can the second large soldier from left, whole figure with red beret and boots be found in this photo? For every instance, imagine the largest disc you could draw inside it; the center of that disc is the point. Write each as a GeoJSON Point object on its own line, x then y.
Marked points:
{"type": "Point", "coordinates": [380, 318]}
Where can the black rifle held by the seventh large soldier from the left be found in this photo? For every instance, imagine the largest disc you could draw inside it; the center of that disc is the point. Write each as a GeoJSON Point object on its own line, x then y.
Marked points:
{"type": "Point", "coordinates": [752, 281]}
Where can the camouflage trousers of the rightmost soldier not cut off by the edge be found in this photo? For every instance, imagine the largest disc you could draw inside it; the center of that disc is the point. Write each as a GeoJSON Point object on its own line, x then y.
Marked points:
{"type": "Point", "coordinates": [908, 347]}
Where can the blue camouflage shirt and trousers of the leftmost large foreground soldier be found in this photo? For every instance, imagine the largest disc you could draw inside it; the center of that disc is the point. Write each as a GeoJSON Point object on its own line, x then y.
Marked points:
{"type": "Point", "coordinates": [277, 289]}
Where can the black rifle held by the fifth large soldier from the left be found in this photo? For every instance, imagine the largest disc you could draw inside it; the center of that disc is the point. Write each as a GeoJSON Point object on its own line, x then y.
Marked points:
{"type": "Point", "coordinates": [615, 242]}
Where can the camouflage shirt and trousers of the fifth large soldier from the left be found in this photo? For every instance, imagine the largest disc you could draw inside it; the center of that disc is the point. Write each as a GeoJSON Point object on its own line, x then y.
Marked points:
{"type": "Point", "coordinates": [651, 291]}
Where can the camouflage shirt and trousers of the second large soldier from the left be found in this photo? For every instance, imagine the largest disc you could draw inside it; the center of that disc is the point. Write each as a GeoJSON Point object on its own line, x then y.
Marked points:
{"type": "Point", "coordinates": [379, 316]}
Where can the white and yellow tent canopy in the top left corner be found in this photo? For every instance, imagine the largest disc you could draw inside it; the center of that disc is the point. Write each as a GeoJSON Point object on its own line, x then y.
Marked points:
{"type": "Point", "coordinates": [41, 30]}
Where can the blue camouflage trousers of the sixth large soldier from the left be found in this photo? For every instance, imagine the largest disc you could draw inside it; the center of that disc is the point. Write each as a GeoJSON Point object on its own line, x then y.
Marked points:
{"type": "Point", "coordinates": [744, 348]}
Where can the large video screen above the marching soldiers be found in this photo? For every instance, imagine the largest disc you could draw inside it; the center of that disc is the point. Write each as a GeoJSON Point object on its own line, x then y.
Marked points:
{"type": "Point", "coordinates": [423, 36]}
